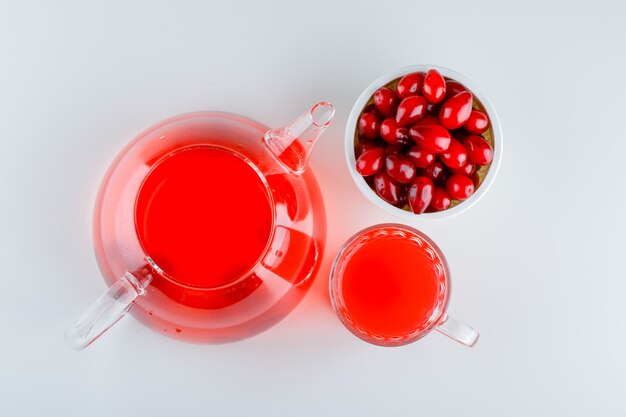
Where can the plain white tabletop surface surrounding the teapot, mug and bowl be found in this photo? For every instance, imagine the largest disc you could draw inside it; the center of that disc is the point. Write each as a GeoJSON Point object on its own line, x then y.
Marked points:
{"type": "Point", "coordinates": [537, 265]}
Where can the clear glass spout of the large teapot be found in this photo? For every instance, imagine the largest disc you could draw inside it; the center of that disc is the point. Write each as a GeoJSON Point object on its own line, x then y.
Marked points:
{"type": "Point", "coordinates": [292, 145]}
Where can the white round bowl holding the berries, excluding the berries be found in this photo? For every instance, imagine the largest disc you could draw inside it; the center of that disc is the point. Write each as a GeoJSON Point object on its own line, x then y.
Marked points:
{"type": "Point", "coordinates": [371, 194]}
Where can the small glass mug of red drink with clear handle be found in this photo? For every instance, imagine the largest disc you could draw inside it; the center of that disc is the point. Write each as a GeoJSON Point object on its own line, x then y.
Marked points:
{"type": "Point", "coordinates": [390, 286]}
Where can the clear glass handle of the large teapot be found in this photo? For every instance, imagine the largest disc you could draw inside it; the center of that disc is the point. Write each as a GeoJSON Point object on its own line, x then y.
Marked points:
{"type": "Point", "coordinates": [105, 312]}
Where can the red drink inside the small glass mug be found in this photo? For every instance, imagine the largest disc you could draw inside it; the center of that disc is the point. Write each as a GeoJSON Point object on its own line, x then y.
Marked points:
{"type": "Point", "coordinates": [391, 287]}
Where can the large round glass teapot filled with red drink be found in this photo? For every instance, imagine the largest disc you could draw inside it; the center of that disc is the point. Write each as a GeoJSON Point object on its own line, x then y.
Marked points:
{"type": "Point", "coordinates": [210, 226]}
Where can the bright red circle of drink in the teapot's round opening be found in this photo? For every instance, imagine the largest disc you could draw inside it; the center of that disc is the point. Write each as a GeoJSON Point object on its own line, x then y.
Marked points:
{"type": "Point", "coordinates": [203, 215]}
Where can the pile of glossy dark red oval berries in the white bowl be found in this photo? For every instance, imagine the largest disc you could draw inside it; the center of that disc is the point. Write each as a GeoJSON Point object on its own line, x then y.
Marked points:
{"type": "Point", "coordinates": [422, 143]}
